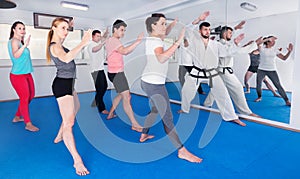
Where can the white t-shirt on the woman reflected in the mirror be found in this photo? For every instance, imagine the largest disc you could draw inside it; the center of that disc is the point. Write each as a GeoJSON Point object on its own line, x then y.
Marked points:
{"type": "Point", "coordinates": [267, 58]}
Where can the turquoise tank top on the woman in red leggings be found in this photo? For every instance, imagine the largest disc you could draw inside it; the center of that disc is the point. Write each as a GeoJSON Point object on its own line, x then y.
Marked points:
{"type": "Point", "coordinates": [21, 65]}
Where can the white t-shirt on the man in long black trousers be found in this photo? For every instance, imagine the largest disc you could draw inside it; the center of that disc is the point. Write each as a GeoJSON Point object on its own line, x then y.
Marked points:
{"type": "Point", "coordinates": [96, 58]}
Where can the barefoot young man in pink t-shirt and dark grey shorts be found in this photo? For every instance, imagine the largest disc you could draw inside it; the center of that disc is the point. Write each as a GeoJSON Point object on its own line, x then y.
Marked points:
{"type": "Point", "coordinates": [115, 52]}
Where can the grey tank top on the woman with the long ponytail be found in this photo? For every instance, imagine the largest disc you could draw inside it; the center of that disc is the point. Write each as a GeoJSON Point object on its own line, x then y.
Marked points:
{"type": "Point", "coordinates": [64, 70]}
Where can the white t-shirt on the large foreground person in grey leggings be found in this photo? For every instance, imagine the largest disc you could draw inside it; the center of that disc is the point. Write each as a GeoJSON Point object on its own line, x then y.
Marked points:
{"type": "Point", "coordinates": [154, 72]}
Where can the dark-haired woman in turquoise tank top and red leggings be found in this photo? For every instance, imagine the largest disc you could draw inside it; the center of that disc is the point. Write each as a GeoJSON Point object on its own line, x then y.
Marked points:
{"type": "Point", "coordinates": [20, 75]}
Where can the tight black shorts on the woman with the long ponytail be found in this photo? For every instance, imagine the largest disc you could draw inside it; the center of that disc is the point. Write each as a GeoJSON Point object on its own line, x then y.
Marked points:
{"type": "Point", "coordinates": [63, 86]}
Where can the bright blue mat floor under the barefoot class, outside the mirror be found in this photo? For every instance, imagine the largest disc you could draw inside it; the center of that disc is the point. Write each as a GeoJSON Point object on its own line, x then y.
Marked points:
{"type": "Point", "coordinates": [228, 150]}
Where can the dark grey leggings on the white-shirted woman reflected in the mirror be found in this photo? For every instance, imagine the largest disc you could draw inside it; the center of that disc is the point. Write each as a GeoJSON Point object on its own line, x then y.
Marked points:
{"type": "Point", "coordinates": [275, 80]}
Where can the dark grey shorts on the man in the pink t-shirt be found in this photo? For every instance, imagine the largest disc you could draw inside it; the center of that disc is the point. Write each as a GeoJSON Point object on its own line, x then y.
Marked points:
{"type": "Point", "coordinates": [119, 80]}
